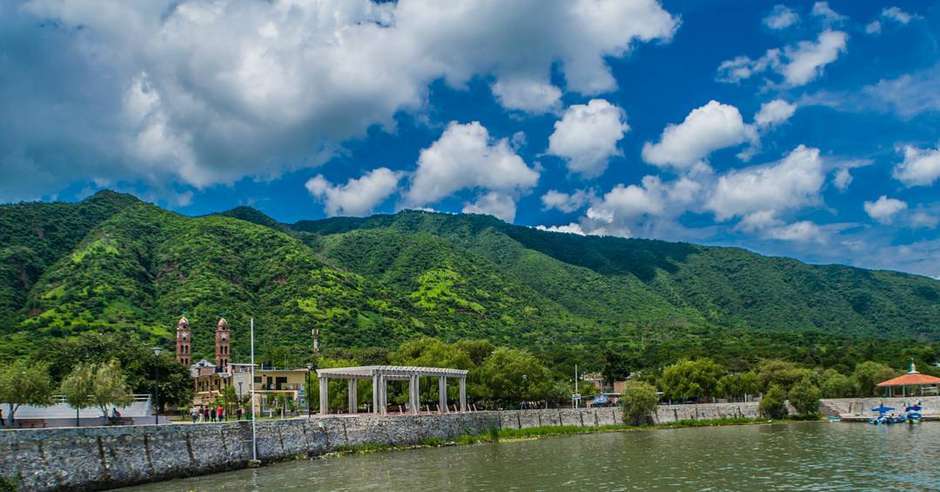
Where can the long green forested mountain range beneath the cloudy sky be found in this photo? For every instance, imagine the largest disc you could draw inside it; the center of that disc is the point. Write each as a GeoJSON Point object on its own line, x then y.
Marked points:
{"type": "Point", "coordinates": [112, 263]}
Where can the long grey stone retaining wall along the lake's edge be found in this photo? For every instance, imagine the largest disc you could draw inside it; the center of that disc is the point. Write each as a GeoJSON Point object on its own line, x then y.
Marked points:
{"type": "Point", "coordinates": [89, 458]}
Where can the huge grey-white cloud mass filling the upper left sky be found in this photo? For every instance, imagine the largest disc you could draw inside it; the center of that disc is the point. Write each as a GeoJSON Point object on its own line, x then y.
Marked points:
{"type": "Point", "coordinates": [209, 92]}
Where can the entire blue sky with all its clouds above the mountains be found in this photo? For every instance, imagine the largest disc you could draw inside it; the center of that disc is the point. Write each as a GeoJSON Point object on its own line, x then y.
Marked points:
{"type": "Point", "coordinates": [801, 129]}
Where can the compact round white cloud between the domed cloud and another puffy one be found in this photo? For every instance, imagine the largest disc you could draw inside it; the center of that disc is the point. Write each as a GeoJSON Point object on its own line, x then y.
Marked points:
{"type": "Point", "coordinates": [587, 135]}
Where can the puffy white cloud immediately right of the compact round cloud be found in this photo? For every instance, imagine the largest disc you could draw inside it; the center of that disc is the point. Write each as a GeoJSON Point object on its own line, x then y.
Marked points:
{"type": "Point", "coordinates": [706, 129]}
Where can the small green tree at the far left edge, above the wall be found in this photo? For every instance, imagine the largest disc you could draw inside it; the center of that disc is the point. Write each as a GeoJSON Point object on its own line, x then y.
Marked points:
{"type": "Point", "coordinates": [25, 382]}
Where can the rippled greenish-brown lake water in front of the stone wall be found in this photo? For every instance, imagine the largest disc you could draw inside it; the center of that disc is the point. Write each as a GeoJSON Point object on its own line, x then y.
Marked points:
{"type": "Point", "coordinates": [805, 456]}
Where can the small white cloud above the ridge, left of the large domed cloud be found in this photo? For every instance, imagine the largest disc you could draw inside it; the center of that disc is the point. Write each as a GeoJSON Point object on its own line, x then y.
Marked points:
{"type": "Point", "coordinates": [359, 196]}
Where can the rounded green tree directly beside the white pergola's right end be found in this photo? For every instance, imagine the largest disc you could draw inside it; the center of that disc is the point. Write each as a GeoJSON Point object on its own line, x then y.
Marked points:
{"type": "Point", "coordinates": [511, 375]}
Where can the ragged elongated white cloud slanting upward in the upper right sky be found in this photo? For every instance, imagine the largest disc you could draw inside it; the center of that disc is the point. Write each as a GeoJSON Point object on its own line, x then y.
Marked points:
{"type": "Point", "coordinates": [798, 64]}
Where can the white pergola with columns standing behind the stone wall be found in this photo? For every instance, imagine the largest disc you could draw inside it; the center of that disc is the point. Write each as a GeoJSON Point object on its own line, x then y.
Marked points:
{"type": "Point", "coordinates": [380, 375]}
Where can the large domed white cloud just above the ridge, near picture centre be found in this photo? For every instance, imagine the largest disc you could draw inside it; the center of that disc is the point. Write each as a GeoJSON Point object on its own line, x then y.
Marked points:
{"type": "Point", "coordinates": [465, 157]}
